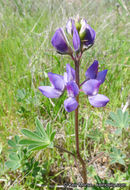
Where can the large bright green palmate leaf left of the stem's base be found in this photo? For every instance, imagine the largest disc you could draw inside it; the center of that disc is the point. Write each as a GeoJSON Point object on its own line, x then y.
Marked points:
{"type": "Point", "coordinates": [38, 139]}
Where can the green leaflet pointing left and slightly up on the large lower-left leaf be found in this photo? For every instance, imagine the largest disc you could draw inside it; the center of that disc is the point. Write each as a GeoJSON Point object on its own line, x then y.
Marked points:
{"type": "Point", "coordinates": [31, 135]}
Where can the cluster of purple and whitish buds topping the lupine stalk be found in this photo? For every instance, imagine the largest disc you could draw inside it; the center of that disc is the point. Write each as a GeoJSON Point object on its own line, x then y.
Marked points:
{"type": "Point", "coordinates": [83, 37]}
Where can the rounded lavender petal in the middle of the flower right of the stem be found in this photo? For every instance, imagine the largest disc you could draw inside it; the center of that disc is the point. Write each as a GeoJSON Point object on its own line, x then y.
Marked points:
{"type": "Point", "coordinates": [91, 87]}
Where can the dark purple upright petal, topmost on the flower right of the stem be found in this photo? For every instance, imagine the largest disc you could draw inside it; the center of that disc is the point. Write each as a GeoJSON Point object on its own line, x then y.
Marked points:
{"type": "Point", "coordinates": [92, 71]}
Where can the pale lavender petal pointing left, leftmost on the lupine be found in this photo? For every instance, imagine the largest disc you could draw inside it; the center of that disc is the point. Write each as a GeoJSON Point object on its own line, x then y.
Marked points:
{"type": "Point", "coordinates": [50, 92]}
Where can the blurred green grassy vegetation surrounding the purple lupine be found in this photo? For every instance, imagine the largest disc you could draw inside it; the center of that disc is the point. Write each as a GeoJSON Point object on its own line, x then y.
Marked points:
{"type": "Point", "coordinates": [26, 56]}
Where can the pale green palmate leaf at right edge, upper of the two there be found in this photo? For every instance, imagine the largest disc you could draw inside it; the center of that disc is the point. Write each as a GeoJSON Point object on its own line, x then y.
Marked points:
{"type": "Point", "coordinates": [119, 119]}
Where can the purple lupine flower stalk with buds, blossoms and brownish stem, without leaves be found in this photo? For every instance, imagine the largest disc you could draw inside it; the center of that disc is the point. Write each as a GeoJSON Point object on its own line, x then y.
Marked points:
{"type": "Point", "coordinates": [83, 38]}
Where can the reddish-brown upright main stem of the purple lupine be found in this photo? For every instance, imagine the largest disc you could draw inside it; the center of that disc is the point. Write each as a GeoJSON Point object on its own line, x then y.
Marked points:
{"type": "Point", "coordinates": [84, 174]}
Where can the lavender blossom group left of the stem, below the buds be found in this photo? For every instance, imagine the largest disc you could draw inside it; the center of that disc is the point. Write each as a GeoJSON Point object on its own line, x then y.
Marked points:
{"type": "Point", "coordinates": [59, 85]}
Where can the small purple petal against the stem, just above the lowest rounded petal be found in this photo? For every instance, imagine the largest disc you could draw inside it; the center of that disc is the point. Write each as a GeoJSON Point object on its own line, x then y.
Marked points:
{"type": "Point", "coordinates": [72, 89]}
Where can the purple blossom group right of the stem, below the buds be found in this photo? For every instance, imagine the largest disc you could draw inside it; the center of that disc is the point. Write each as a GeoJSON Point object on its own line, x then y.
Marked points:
{"type": "Point", "coordinates": [92, 83]}
